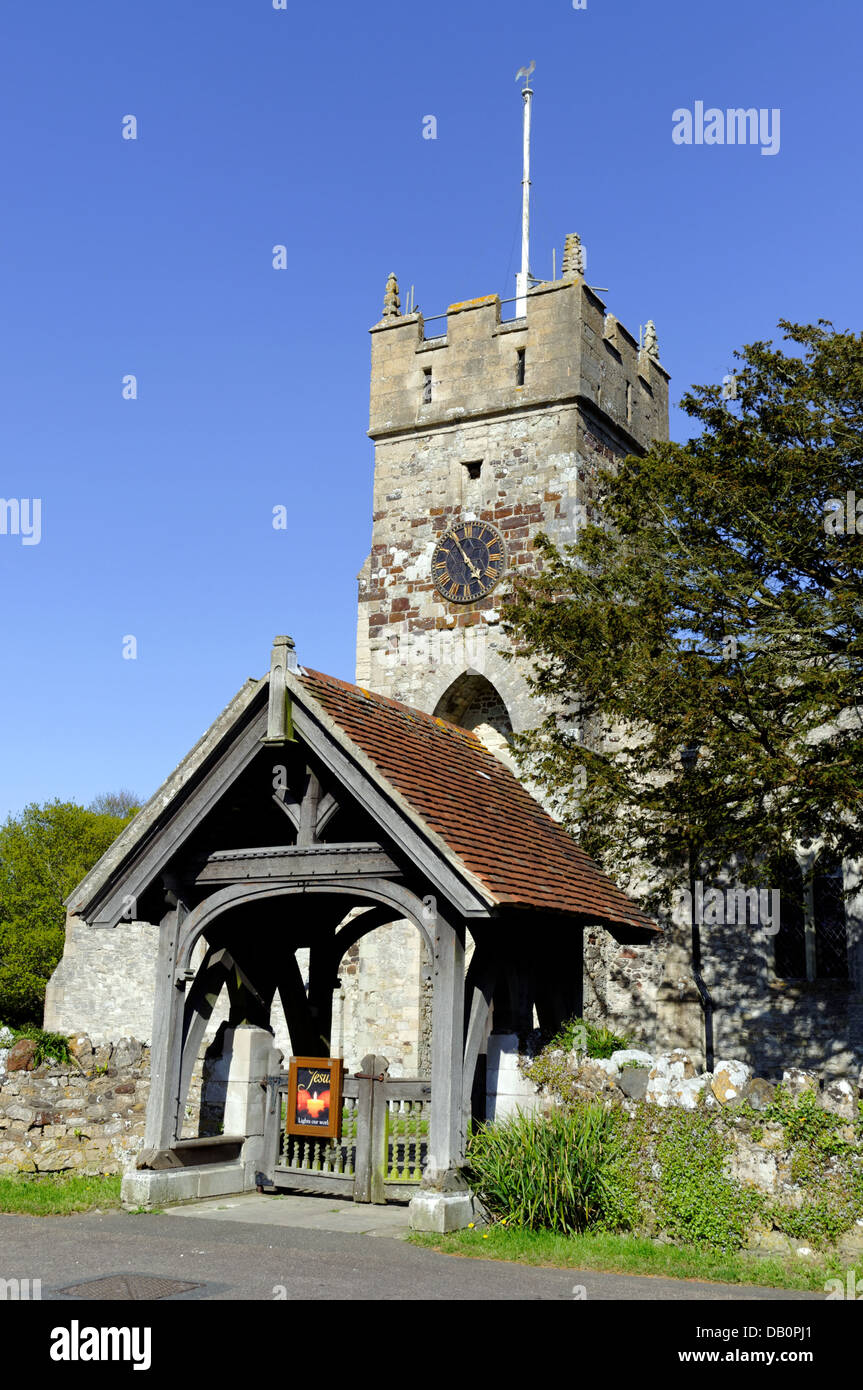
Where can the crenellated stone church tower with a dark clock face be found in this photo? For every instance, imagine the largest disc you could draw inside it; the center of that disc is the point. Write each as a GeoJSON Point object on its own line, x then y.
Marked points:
{"type": "Point", "coordinates": [486, 436]}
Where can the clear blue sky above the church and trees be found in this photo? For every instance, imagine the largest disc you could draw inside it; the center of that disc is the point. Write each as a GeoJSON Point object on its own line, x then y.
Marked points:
{"type": "Point", "coordinates": [304, 127]}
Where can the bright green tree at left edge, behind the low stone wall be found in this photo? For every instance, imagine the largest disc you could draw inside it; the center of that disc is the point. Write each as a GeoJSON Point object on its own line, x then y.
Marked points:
{"type": "Point", "coordinates": [44, 856]}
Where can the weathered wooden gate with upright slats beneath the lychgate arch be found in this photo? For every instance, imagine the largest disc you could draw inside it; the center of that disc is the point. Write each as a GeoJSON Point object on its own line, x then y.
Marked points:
{"type": "Point", "coordinates": [383, 1149]}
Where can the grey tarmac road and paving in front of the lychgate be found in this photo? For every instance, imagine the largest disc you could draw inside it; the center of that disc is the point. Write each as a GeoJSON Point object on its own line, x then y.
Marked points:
{"type": "Point", "coordinates": [302, 1249]}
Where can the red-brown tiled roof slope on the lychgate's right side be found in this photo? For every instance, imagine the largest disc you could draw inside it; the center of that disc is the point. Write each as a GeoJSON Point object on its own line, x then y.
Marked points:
{"type": "Point", "coordinates": [476, 806]}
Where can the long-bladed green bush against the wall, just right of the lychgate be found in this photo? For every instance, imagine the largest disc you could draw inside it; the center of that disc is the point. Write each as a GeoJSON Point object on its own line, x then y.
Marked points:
{"type": "Point", "coordinates": [545, 1174]}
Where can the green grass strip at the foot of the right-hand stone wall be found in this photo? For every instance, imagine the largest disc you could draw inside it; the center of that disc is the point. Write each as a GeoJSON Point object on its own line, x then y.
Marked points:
{"type": "Point", "coordinates": [629, 1256]}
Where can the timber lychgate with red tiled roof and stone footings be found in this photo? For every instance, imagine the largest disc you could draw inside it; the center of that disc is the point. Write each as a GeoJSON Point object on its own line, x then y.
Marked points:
{"type": "Point", "coordinates": [312, 815]}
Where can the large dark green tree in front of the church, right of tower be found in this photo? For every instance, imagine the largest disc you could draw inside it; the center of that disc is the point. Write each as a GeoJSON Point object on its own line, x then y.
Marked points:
{"type": "Point", "coordinates": [709, 615]}
